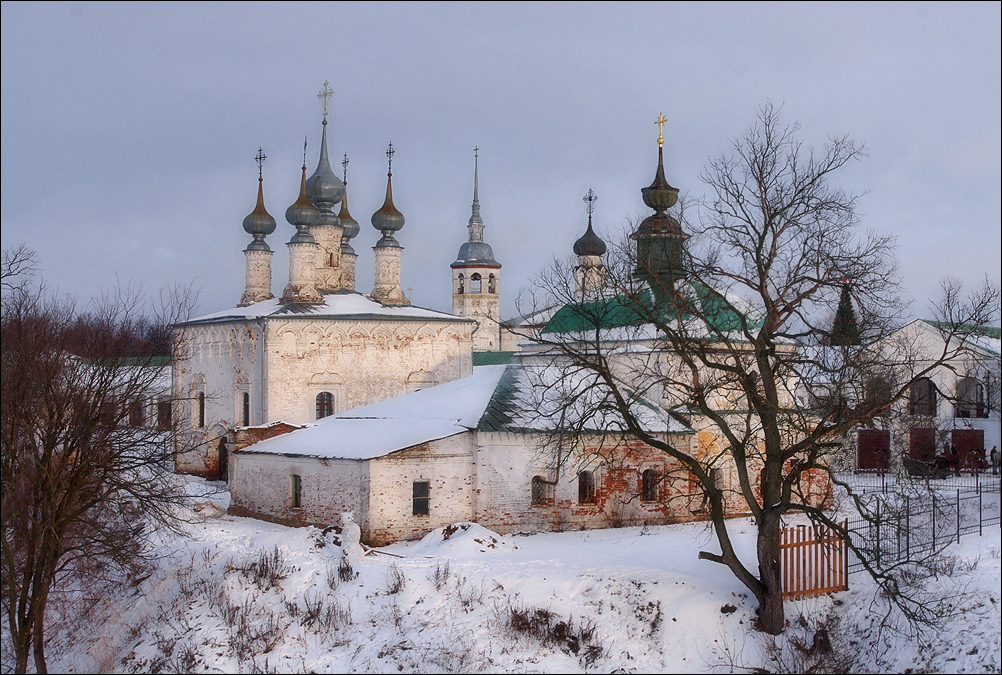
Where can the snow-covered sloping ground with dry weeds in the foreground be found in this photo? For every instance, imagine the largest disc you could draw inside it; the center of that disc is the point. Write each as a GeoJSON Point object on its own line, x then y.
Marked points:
{"type": "Point", "coordinates": [465, 599]}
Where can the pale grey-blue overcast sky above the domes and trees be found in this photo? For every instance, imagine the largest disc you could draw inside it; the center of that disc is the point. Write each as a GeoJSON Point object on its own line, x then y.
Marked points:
{"type": "Point", "coordinates": [130, 131]}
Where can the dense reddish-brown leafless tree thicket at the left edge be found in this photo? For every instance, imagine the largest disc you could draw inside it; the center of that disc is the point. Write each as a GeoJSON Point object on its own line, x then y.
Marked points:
{"type": "Point", "coordinates": [86, 475]}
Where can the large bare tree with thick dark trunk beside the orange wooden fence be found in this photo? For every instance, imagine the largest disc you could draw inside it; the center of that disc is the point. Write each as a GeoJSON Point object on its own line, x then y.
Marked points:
{"type": "Point", "coordinates": [730, 318]}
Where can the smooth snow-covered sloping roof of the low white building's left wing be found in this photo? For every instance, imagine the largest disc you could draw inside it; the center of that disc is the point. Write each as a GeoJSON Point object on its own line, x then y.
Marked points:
{"type": "Point", "coordinates": [395, 424]}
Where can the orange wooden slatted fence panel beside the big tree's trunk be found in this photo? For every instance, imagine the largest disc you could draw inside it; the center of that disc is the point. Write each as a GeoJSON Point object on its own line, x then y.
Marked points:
{"type": "Point", "coordinates": [812, 562]}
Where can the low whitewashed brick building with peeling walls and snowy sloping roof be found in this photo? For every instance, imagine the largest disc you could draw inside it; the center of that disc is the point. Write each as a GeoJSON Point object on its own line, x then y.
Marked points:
{"type": "Point", "coordinates": [477, 449]}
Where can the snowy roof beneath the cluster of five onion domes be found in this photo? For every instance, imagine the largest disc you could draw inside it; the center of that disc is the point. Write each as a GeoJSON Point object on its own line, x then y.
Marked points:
{"type": "Point", "coordinates": [345, 305]}
